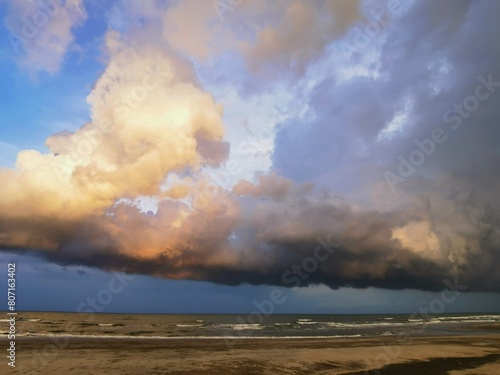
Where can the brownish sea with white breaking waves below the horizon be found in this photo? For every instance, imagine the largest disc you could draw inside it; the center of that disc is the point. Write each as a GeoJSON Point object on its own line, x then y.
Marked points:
{"type": "Point", "coordinates": [169, 326]}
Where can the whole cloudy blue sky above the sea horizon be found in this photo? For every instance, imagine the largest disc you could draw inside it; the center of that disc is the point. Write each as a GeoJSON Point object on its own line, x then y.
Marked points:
{"type": "Point", "coordinates": [204, 154]}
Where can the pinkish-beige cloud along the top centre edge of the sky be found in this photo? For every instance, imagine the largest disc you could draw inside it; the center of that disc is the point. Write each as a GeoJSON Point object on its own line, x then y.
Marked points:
{"type": "Point", "coordinates": [282, 36]}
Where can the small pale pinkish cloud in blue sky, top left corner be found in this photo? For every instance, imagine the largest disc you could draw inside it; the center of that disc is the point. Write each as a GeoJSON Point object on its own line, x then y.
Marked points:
{"type": "Point", "coordinates": [41, 32]}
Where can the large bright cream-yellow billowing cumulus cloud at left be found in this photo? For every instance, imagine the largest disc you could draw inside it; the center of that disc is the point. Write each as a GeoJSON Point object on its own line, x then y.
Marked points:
{"type": "Point", "coordinates": [146, 122]}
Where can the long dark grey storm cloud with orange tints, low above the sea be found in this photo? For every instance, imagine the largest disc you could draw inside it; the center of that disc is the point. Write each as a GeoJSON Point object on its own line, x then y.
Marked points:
{"type": "Point", "coordinates": [300, 238]}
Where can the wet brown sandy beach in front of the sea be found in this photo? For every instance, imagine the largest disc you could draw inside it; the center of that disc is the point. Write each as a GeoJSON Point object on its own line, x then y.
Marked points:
{"type": "Point", "coordinates": [355, 356]}
